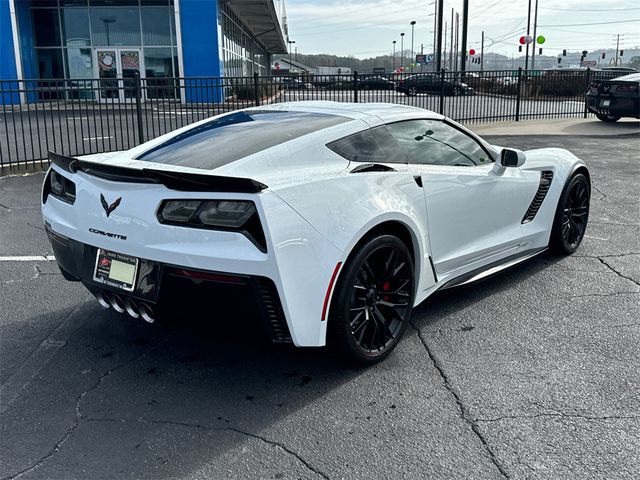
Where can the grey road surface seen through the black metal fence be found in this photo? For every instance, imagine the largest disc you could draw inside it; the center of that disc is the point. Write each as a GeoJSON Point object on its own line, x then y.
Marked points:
{"type": "Point", "coordinates": [82, 128]}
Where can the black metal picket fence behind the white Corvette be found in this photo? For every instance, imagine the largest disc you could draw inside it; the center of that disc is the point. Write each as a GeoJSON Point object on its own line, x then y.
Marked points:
{"type": "Point", "coordinates": [85, 116]}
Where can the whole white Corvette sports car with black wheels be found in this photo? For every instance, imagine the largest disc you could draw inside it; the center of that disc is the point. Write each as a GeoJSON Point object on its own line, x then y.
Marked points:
{"type": "Point", "coordinates": [335, 219]}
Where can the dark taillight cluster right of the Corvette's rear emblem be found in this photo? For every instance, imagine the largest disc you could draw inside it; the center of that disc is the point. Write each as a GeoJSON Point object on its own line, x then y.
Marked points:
{"type": "Point", "coordinates": [227, 215]}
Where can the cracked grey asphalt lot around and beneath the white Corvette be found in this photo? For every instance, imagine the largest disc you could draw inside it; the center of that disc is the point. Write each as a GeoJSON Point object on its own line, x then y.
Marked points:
{"type": "Point", "coordinates": [531, 374]}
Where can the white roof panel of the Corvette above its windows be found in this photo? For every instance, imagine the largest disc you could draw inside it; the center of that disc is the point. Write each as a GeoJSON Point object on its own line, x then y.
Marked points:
{"type": "Point", "coordinates": [371, 113]}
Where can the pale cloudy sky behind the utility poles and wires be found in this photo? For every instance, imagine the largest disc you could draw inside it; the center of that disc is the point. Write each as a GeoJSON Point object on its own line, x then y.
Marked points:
{"type": "Point", "coordinates": [367, 28]}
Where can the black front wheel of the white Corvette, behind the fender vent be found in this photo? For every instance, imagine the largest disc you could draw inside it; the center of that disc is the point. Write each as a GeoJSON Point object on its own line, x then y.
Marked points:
{"type": "Point", "coordinates": [572, 215]}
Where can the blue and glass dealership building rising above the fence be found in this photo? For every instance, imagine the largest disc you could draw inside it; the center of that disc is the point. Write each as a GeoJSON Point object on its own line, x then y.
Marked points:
{"type": "Point", "coordinates": [82, 39]}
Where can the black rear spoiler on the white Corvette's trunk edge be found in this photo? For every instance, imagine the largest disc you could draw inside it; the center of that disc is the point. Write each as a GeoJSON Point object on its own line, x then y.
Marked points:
{"type": "Point", "coordinates": [184, 182]}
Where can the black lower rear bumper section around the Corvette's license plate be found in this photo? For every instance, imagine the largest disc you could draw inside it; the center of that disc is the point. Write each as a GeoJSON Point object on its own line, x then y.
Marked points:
{"type": "Point", "coordinates": [166, 290]}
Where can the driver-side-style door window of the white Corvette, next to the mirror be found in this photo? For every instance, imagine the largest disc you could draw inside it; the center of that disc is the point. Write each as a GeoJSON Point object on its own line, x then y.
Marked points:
{"type": "Point", "coordinates": [433, 142]}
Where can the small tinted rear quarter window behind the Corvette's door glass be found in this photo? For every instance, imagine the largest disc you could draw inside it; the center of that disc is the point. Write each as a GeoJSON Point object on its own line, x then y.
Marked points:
{"type": "Point", "coordinates": [375, 145]}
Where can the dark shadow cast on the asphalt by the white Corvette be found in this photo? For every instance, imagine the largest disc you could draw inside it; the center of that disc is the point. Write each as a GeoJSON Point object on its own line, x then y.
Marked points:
{"type": "Point", "coordinates": [123, 394]}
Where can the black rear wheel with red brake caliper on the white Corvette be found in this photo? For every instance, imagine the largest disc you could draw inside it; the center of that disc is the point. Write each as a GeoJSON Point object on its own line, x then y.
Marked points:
{"type": "Point", "coordinates": [373, 300]}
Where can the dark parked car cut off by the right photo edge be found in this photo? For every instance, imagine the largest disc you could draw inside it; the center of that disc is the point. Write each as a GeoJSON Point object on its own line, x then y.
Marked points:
{"type": "Point", "coordinates": [613, 99]}
